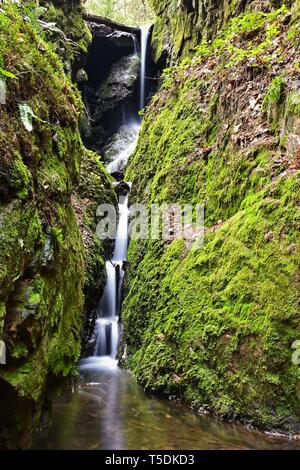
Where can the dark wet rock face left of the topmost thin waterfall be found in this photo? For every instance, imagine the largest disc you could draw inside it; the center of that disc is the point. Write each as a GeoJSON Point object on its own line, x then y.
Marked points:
{"type": "Point", "coordinates": [113, 74]}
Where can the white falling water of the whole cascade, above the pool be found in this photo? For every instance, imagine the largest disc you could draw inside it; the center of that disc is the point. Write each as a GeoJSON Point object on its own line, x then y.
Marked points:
{"type": "Point", "coordinates": [107, 323]}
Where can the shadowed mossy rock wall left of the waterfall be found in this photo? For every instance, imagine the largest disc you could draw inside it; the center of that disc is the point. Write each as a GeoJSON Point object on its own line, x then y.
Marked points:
{"type": "Point", "coordinates": [47, 263]}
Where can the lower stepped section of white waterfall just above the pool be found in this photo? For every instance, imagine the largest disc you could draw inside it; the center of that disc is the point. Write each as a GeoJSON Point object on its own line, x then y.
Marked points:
{"type": "Point", "coordinates": [107, 328]}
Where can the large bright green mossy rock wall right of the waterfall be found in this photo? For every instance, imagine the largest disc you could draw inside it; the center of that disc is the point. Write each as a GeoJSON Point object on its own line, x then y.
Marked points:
{"type": "Point", "coordinates": [215, 326]}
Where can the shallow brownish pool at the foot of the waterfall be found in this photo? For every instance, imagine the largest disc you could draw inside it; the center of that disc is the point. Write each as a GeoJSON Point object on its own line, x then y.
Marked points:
{"type": "Point", "coordinates": [110, 411]}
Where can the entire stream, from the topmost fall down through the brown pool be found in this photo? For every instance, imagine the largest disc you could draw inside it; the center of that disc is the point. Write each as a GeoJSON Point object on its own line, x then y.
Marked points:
{"type": "Point", "coordinates": [109, 410]}
